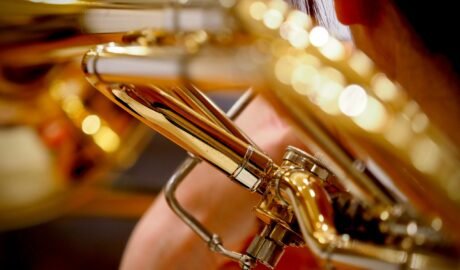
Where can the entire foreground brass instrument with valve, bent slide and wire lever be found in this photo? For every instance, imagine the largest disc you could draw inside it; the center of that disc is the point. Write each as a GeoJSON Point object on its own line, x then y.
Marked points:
{"type": "Point", "coordinates": [377, 162]}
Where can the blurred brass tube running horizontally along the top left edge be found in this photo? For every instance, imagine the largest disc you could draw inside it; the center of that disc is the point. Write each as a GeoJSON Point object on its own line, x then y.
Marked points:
{"type": "Point", "coordinates": [42, 32]}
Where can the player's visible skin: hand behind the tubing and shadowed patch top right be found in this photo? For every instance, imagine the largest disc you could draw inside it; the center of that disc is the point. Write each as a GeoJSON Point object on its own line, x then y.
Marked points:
{"type": "Point", "coordinates": [161, 241]}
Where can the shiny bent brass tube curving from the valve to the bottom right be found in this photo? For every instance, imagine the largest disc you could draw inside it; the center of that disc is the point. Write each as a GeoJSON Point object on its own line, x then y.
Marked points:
{"type": "Point", "coordinates": [312, 208]}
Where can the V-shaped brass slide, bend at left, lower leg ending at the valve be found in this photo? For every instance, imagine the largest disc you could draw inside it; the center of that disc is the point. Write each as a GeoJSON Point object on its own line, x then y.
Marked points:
{"type": "Point", "coordinates": [165, 111]}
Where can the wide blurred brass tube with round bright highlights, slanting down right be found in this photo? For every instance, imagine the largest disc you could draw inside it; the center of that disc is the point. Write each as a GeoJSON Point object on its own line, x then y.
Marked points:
{"type": "Point", "coordinates": [395, 173]}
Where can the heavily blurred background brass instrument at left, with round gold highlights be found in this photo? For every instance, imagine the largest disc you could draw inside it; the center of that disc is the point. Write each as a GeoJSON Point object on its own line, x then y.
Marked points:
{"type": "Point", "coordinates": [58, 137]}
